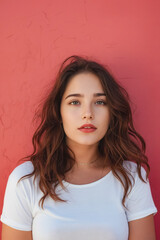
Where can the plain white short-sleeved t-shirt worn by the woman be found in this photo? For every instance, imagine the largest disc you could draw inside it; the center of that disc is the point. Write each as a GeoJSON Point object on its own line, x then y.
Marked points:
{"type": "Point", "coordinates": [93, 211]}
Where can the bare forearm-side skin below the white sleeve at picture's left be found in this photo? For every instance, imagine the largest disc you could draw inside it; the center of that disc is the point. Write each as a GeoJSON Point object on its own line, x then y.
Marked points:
{"type": "Point", "coordinates": [9, 233]}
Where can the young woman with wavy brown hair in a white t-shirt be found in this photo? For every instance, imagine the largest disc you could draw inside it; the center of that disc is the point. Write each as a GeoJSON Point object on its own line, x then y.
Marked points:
{"type": "Point", "coordinates": [87, 177]}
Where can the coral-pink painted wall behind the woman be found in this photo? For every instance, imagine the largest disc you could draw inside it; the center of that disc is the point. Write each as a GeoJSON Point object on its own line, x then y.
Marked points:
{"type": "Point", "coordinates": [36, 36]}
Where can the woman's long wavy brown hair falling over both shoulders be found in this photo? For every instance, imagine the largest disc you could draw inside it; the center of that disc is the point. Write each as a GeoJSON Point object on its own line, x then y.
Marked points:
{"type": "Point", "coordinates": [51, 157]}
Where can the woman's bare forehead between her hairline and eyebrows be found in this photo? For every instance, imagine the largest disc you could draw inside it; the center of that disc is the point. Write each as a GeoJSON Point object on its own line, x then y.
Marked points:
{"type": "Point", "coordinates": [84, 82]}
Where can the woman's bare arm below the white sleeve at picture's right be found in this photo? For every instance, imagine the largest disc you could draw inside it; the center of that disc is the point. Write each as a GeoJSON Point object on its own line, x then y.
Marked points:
{"type": "Point", "coordinates": [142, 229]}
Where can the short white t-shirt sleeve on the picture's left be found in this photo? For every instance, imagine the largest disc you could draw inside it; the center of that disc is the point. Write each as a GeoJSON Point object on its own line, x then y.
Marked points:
{"type": "Point", "coordinates": [17, 210]}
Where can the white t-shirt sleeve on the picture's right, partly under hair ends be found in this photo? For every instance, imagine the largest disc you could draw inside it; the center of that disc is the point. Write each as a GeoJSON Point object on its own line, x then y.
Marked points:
{"type": "Point", "coordinates": [139, 202]}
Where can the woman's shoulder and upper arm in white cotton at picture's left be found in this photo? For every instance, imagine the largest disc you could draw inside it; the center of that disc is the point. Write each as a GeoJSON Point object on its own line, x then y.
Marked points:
{"type": "Point", "coordinates": [19, 198]}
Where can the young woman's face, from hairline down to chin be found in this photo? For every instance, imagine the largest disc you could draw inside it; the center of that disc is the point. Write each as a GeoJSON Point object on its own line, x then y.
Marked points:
{"type": "Point", "coordinates": [86, 108]}
